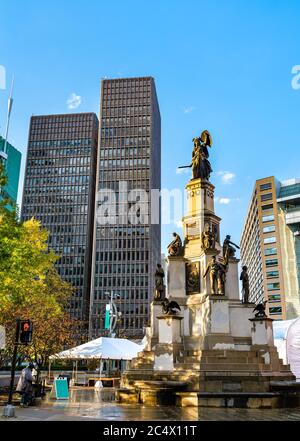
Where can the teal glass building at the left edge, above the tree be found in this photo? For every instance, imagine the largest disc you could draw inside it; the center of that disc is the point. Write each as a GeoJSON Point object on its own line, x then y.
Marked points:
{"type": "Point", "coordinates": [11, 158]}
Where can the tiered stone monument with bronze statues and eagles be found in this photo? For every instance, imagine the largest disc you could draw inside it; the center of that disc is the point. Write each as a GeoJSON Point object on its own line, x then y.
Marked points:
{"type": "Point", "coordinates": [205, 345]}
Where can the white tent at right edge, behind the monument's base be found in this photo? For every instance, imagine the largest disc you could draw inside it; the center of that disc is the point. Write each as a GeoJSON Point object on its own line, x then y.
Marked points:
{"type": "Point", "coordinates": [287, 341]}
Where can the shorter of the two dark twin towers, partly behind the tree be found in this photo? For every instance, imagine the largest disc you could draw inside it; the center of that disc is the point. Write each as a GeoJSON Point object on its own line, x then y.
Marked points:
{"type": "Point", "coordinates": [59, 190]}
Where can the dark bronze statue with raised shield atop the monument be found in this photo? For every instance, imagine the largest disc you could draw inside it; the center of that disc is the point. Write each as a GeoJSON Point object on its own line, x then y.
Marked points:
{"type": "Point", "coordinates": [200, 165]}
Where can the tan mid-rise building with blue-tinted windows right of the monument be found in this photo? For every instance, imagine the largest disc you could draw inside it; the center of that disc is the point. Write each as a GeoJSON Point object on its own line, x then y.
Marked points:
{"type": "Point", "coordinates": [270, 246]}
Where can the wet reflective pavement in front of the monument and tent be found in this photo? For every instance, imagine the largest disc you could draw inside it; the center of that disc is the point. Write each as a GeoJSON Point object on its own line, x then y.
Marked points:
{"type": "Point", "coordinates": [98, 405]}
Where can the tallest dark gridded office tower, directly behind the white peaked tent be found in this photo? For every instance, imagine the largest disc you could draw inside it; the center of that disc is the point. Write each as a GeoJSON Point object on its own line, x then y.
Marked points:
{"type": "Point", "coordinates": [125, 252]}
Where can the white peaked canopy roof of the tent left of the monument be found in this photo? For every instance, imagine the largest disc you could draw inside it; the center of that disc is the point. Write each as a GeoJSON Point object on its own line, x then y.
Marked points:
{"type": "Point", "coordinates": [103, 347]}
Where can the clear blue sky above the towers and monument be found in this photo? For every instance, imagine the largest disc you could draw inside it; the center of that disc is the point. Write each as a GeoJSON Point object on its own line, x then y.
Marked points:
{"type": "Point", "coordinates": [221, 66]}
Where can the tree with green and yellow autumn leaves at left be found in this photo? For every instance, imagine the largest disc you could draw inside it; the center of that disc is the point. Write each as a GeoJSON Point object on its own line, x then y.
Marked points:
{"type": "Point", "coordinates": [30, 287]}
